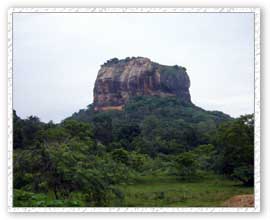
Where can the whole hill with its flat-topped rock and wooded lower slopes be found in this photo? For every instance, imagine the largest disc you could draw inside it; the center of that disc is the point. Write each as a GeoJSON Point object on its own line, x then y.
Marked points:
{"type": "Point", "coordinates": [133, 92]}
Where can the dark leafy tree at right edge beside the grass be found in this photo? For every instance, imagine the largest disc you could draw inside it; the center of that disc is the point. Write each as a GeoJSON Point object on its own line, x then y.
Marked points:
{"type": "Point", "coordinates": [235, 149]}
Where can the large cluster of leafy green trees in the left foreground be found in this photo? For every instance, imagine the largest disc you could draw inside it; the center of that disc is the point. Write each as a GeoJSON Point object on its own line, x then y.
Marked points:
{"type": "Point", "coordinates": [64, 160]}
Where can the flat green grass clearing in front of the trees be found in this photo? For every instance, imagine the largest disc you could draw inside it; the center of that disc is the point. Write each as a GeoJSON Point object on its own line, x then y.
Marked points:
{"type": "Point", "coordinates": [167, 191]}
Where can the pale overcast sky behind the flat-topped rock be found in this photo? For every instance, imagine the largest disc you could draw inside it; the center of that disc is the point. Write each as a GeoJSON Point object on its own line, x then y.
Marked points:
{"type": "Point", "coordinates": [56, 57]}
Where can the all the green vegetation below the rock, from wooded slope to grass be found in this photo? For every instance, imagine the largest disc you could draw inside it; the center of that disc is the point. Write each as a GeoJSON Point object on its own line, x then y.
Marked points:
{"type": "Point", "coordinates": [156, 152]}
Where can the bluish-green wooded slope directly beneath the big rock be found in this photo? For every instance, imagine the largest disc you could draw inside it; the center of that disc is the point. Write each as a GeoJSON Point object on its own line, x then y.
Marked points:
{"type": "Point", "coordinates": [186, 125]}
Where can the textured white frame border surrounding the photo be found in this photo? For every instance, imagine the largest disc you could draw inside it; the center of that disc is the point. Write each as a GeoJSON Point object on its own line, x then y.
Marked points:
{"type": "Point", "coordinates": [256, 12]}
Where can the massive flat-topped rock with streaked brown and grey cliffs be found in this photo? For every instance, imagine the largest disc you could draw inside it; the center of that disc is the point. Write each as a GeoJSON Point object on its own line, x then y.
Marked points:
{"type": "Point", "coordinates": [119, 80]}
